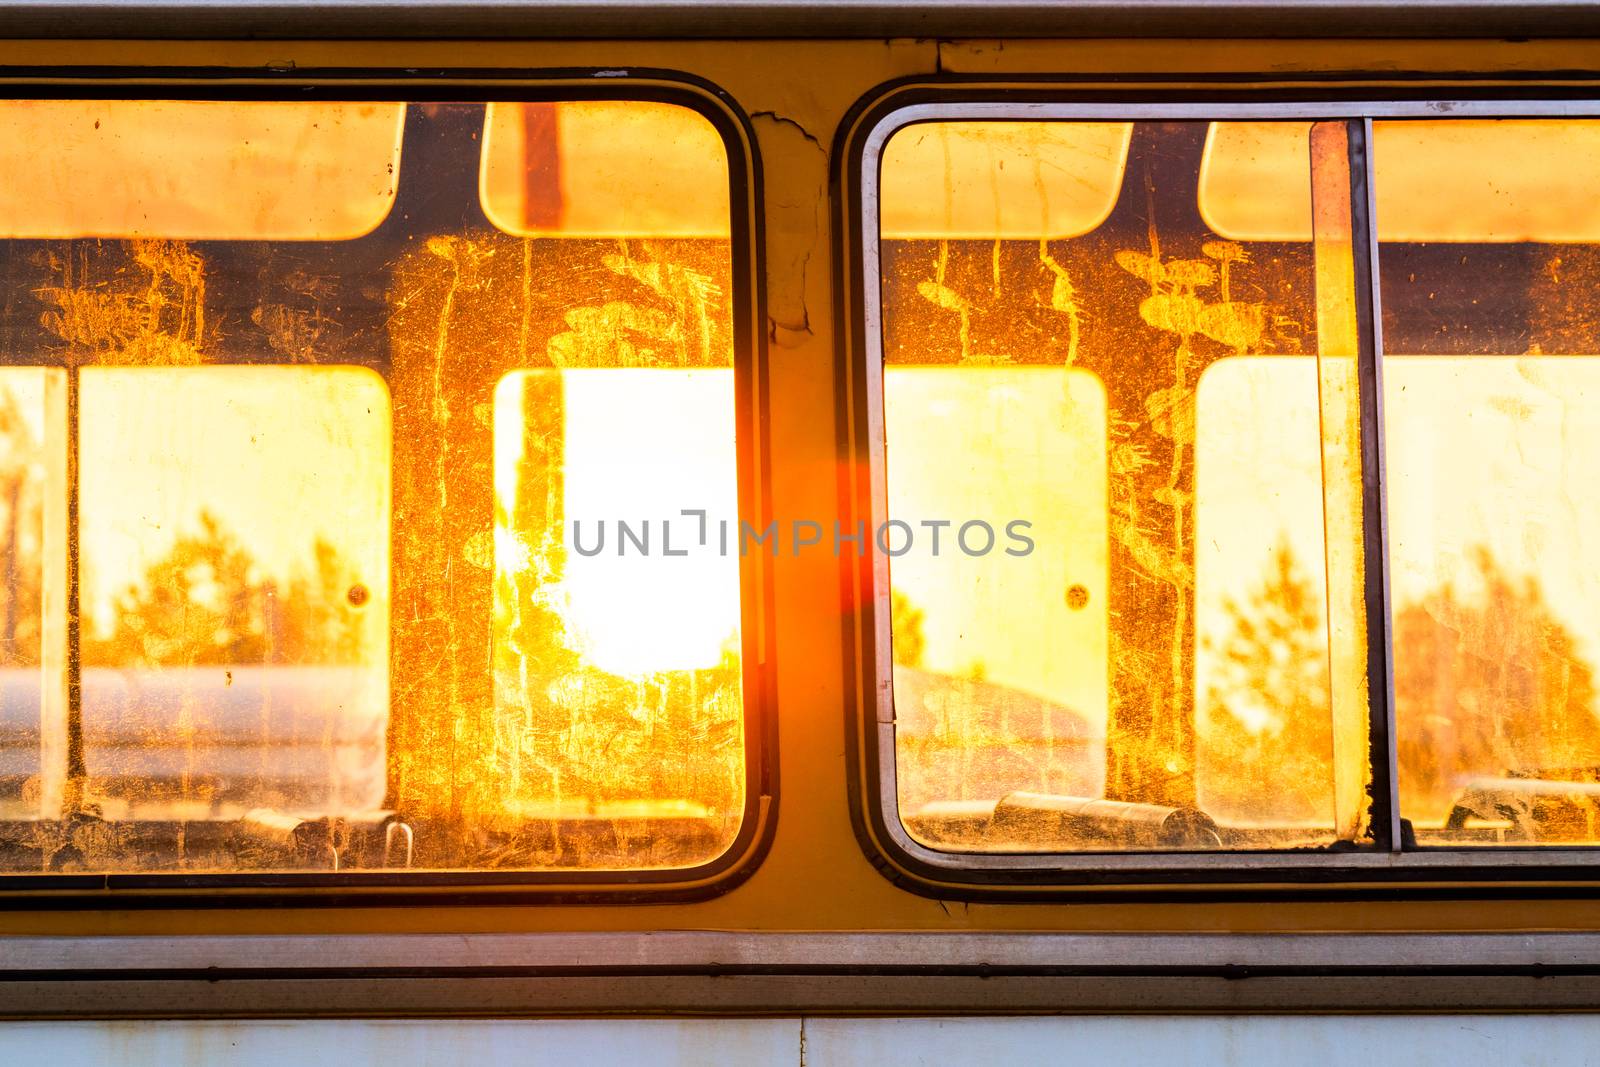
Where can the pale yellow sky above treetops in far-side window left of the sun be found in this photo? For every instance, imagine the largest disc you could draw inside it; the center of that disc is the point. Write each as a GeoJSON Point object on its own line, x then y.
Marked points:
{"type": "Point", "coordinates": [278, 455]}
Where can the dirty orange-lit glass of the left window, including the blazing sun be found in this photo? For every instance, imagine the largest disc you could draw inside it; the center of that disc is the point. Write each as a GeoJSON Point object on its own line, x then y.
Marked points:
{"type": "Point", "coordinates": [322, 391]}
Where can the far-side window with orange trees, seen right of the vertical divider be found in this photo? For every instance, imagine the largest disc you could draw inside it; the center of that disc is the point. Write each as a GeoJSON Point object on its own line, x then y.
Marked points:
{"type": "Point", "coordinates": [1494, 522]}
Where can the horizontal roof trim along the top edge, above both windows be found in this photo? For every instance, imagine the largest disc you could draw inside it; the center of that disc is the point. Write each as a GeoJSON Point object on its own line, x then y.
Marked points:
{"type": "Point", "coordinates": [794, 18]}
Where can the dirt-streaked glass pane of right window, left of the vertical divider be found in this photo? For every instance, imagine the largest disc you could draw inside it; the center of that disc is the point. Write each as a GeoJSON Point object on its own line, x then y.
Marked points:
{"type": "Point", "coordinates": [1138, 658]}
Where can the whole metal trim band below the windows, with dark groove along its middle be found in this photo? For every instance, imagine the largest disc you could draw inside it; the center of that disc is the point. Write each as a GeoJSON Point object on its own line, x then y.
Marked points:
{"type": "Point", "coordinates": [732, 973]}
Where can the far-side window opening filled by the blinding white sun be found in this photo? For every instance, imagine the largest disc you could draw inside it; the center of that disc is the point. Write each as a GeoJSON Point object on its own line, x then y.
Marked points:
{"type": "Point", "coordinates": [618, 665]}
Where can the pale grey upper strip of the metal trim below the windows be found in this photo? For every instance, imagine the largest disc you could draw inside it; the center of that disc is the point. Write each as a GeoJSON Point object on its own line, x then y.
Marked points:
{"type": "Point", "coordinates": [382, 954]}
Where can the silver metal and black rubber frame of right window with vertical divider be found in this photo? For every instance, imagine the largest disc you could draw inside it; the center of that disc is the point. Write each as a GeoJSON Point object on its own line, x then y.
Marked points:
{"type": "Point", "coordinates": [1338, 871]}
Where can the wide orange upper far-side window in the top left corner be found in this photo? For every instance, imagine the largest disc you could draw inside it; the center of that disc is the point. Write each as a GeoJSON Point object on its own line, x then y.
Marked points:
{"type": "Point", "coordinates": [196, 169]}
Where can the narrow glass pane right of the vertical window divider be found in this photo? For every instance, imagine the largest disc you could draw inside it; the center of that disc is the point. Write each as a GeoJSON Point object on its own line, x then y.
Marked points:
{"type": "Point", "coordinates": [1492, 382]}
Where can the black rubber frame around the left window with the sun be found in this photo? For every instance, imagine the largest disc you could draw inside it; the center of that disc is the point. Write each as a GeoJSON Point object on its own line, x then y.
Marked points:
{"type": "Point", "coordinates": [748, 310]}
